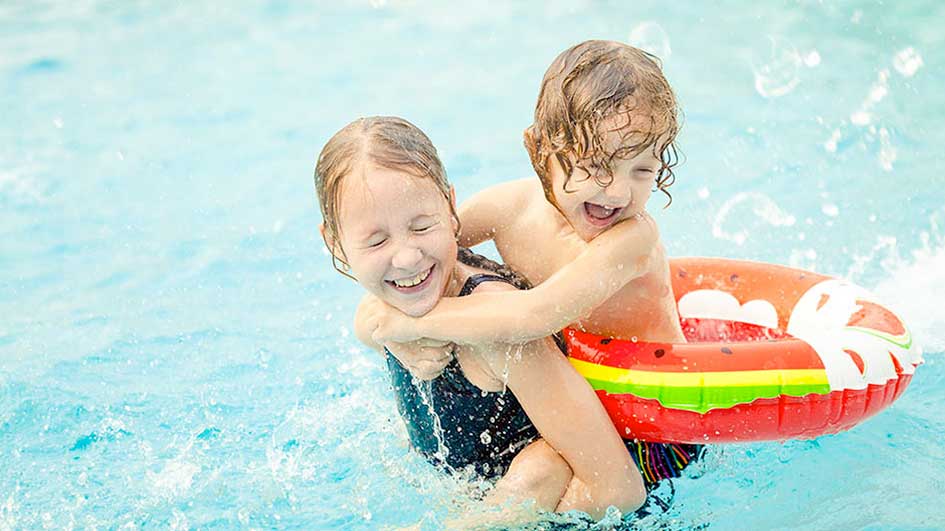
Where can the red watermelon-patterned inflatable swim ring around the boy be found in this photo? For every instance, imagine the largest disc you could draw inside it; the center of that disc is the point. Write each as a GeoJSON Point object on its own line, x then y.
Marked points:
{"type": "Point", "coordinates": [774, 353]}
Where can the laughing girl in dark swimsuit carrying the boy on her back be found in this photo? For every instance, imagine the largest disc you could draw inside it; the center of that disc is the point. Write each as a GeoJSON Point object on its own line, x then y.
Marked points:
{"type": "Point", "coordinates": [390, 224]}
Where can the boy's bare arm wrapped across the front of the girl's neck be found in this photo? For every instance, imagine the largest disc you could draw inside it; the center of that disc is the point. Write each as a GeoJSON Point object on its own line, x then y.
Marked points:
{"type": "Point", "coordinates": [609, 262]}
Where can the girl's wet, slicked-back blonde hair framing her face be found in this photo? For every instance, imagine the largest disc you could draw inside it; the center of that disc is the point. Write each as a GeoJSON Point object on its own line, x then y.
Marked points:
{"type": "Point", "coordinates": [385, 141]}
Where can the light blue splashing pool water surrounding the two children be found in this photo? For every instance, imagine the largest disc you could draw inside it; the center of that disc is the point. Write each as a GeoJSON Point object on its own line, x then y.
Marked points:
{"type": "Point", "coordinates": [176, 350]}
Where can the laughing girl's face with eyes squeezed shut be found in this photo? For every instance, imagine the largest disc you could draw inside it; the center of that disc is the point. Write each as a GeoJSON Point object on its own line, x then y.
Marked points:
{"type": "Point", "coordinates": [399, 237]}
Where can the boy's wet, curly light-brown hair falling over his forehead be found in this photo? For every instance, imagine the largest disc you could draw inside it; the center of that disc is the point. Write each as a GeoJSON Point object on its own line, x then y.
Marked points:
{"type": "Point", "coordinates": [592, 82]}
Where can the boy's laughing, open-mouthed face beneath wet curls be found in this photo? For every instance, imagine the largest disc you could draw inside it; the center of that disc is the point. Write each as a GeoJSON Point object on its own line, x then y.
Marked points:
{"type": "Point", "coordinates": [591, 208]}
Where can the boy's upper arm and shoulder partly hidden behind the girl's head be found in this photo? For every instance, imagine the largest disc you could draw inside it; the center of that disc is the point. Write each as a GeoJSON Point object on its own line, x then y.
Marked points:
{"type": "Point", "coordinates": [488, 211]}
